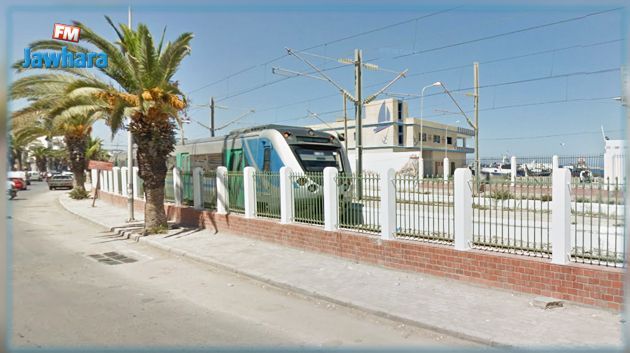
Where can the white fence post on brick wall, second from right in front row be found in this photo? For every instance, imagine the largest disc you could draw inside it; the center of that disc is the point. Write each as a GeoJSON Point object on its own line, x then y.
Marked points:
{"type": "Point", "coordinates": [463, 209]}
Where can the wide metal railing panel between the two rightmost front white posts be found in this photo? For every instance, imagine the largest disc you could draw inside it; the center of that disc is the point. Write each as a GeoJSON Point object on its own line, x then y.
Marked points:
{"type": "Point", "coordinates": [513, 217]}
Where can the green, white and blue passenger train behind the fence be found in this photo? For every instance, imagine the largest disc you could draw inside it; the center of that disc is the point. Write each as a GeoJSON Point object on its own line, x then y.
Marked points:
{"type": "Point", "coordinates": [267, 148]}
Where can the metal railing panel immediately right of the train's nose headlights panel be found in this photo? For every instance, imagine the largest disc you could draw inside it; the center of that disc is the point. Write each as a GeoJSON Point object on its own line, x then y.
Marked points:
{"type": "Point", "coordinates": [359, 213]}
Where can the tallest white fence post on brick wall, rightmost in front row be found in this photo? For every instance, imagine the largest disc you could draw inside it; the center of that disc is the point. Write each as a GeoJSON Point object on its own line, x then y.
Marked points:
{"type": "Point", "coordinates": [561, 216]}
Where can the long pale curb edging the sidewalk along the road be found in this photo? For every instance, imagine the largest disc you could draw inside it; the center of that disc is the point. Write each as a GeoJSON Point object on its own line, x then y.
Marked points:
{"type": "Point", "coordinates": [126, 234]}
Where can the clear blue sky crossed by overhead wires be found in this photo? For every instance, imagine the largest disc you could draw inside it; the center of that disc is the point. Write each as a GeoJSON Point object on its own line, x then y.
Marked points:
{"type": "Point", "coordinates": [548, 74]}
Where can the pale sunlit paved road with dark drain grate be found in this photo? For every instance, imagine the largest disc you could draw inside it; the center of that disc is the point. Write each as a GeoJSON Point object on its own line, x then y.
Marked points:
{"type": "Point", "coordinates": [64, 298]}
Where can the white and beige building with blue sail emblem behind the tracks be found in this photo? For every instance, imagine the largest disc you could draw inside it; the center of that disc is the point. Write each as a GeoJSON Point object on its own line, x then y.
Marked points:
{"type": "Point", "coordinates": [390, 138]}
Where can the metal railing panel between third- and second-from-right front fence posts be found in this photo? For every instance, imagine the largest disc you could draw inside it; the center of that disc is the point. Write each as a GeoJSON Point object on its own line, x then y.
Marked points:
{"type": "Point", "coordinates": [424, 208]}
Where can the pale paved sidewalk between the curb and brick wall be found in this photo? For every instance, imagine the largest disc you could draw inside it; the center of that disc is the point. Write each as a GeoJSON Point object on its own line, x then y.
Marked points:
{"type": "Point", "coordinates": [479, 313]}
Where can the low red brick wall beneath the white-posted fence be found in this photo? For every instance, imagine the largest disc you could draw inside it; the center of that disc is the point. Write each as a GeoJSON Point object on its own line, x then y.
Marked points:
{"type": "Point", "coordinates": [593, 285]}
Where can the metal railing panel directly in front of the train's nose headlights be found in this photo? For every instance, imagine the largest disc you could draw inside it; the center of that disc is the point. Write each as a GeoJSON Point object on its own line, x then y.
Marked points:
{"type": "Point", "coordinates": [308, 197]}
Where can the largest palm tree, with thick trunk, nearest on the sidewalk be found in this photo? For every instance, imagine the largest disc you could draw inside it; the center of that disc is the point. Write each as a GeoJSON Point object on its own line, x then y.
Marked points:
{"type": "Point", "coordinates": [144, 91]}
